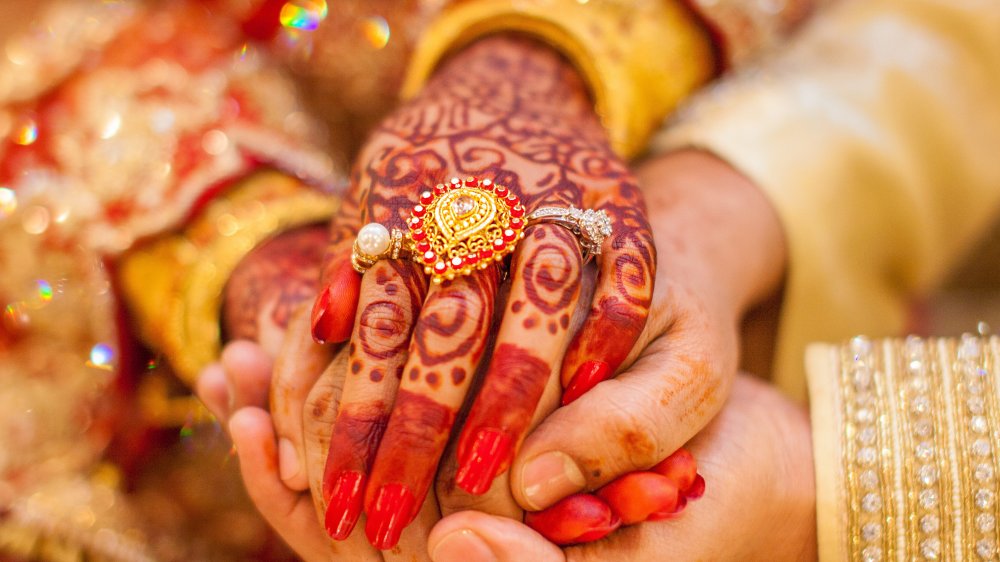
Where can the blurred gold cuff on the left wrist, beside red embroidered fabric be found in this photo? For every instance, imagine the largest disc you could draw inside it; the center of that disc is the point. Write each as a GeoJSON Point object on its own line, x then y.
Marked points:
{"type": "Point", "coordinates": [174, 284]}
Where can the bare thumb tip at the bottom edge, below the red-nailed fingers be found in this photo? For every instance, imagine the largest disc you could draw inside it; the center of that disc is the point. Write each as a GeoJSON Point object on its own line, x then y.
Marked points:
{"type": "Point", "coordinates": [472, 536]}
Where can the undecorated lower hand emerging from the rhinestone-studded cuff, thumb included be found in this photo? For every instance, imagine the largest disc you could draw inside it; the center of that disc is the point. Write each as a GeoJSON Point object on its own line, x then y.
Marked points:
{"type": "Point", "coordinates": [757, 454]}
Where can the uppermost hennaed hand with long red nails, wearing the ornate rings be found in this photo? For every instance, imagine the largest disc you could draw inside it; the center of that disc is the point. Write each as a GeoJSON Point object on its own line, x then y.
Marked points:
{"type": "Point", "coordinates": [512, 111]}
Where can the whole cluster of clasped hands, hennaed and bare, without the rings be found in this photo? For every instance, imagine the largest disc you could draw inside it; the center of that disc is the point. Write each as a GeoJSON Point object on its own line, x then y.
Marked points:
{"type": "Point", "coordinates": [367, 429]}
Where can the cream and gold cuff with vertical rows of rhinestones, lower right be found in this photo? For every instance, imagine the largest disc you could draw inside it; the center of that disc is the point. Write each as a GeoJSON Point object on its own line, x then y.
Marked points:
{"type": "Point", "coordinates": [905, 439]}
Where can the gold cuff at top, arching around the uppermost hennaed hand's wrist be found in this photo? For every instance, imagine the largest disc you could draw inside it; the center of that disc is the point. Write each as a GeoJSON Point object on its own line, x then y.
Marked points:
{"type": "Point", "coordinates": [639, 60]}
